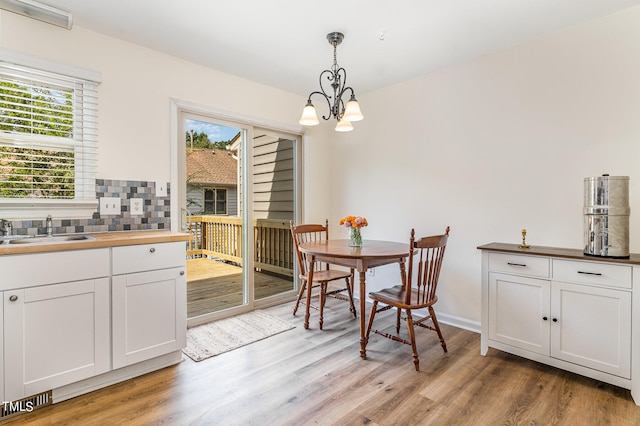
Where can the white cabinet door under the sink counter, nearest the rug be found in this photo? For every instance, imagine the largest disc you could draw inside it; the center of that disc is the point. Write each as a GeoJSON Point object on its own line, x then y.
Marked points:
{"type": "Point", "coordinates": [149, 315]}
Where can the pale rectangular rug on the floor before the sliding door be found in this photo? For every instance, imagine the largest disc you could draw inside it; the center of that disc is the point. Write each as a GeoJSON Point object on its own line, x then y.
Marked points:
{"type": "Point", "coordinates": [207, 340]}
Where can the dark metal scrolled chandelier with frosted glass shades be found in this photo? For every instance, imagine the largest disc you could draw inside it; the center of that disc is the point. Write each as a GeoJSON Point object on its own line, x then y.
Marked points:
{"type": "Point", "coordinates": [336, 78]}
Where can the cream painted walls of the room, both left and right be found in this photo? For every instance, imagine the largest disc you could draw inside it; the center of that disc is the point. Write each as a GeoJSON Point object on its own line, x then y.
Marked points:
{"type": "Point", "coordinates": [487, 147]}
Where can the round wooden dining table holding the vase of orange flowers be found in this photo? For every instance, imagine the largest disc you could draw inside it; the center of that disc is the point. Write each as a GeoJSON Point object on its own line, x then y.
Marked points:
{"type": "Point", "coordinates": [372, 253]}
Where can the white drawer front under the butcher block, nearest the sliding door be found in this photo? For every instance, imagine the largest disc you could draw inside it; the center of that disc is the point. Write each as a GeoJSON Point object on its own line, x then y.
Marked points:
{"type": "Point", "coordinates": [147, 257]}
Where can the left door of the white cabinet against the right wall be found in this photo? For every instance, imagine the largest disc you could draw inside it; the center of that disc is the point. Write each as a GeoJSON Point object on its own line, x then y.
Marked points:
{"type": "Point", "coordinates": [519, 311]}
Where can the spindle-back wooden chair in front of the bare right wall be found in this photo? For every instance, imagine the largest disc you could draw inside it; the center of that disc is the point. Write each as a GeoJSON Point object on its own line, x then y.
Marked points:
{"type": "Point", "coordinates": [428, 253]}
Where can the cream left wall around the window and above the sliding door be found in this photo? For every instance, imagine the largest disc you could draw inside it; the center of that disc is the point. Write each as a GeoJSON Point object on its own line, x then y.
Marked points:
{"type": "Point", "coordinates": [138, 83]}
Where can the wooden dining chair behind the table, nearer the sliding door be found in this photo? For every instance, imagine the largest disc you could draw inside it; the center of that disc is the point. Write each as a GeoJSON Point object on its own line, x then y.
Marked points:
{"type": "Point", "coordinates": [322, 274]}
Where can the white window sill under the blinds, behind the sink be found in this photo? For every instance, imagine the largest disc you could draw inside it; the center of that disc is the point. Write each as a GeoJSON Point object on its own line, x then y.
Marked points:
{"type": "Point", "coordinates": [25, 209]}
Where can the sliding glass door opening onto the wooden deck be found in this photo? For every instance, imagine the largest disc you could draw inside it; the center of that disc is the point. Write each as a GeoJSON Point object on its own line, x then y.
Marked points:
{"type": "Point", "coordinates": [238, 258]}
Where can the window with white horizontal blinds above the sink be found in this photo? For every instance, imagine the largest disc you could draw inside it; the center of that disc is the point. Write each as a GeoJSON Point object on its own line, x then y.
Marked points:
{"type": "Point", "coordinates": [48, 138]}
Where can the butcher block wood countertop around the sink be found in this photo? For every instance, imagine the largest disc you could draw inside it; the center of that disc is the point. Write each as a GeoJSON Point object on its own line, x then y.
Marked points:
{"type": "Point", "coordinates": [107, 239]}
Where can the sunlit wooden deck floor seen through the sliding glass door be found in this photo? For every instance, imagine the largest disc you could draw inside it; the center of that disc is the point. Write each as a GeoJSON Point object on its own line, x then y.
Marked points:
{"type": "Point", "coordinates": [213, 286]}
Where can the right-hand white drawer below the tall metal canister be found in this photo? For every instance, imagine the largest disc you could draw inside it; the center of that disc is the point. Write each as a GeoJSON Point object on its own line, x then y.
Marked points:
{"type": "Point", "coordinates": [592, 273]}
